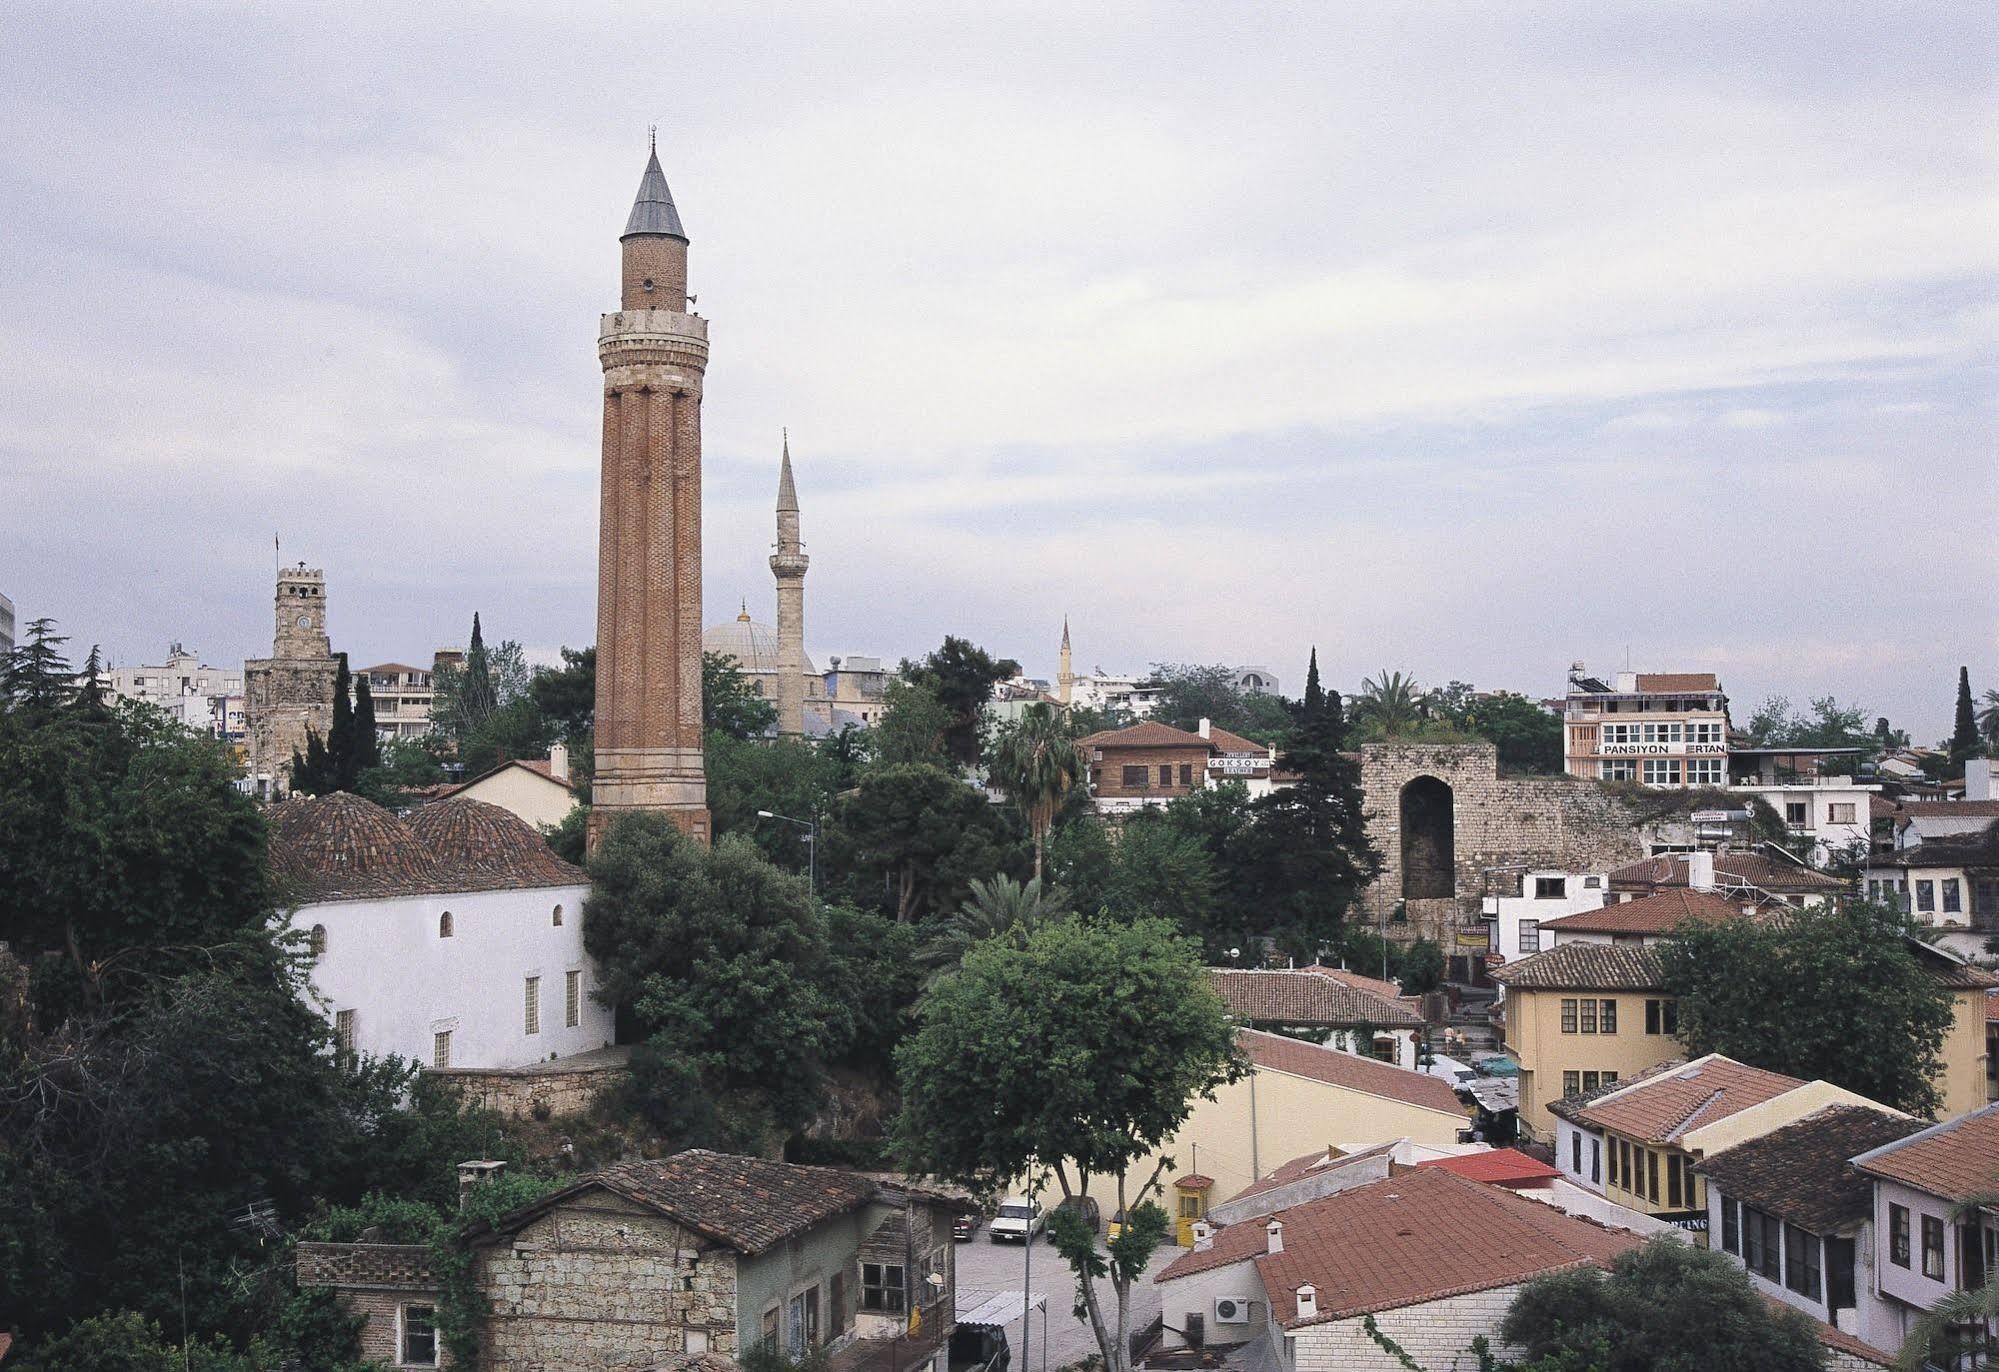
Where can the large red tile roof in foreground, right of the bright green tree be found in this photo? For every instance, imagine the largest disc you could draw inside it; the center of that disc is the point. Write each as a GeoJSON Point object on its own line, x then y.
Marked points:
{"type": "Point", "coordinates": [1406, 1241]}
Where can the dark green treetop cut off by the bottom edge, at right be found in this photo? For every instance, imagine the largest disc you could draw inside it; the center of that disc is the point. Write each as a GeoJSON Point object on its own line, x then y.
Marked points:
{"type": "Point", "coordinates": [1664, 1307]}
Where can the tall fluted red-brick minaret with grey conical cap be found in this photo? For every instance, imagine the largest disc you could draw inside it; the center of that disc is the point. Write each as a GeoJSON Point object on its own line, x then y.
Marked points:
{"type": "Point", "coordinates": [651, 531]}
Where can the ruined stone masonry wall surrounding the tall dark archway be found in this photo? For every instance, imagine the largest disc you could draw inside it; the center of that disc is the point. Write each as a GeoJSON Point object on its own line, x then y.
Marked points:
{"type": "Point", "coordinates": [1540, 821]}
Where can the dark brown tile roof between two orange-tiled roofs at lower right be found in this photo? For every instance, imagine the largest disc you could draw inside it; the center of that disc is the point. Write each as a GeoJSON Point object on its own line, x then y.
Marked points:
{"type": "Point", "coordinates": [1800, 1173]}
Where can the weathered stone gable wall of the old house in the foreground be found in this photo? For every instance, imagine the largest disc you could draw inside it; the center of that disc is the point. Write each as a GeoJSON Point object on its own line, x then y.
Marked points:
{"type": "Point", "coordinates": [599, 1283]}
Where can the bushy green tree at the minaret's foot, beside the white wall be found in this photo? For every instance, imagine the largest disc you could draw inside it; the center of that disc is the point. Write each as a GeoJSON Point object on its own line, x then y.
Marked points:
{"type": "Point", "coordinates": [723, 961]}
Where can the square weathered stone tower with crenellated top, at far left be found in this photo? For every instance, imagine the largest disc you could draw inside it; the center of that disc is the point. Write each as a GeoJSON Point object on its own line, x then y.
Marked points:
{"type": "Point", "coordinates": [293, 689]}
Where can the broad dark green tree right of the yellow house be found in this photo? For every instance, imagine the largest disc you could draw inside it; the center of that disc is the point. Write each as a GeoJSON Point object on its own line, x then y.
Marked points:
{"type": "Point", "coordinates": [1780, 997]}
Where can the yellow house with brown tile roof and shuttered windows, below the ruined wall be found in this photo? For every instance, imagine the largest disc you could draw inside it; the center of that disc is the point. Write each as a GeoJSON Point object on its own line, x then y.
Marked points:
{"type": "Point", "coordinates": [1582, 1017]}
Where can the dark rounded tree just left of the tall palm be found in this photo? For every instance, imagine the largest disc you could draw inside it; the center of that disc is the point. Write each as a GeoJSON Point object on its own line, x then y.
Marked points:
{"type": "Point", "coordinates": [915, 837]}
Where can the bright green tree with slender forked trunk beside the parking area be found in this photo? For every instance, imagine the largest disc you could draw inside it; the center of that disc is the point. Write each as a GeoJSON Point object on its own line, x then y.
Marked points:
{"type": "Point", "coordinates": [1080, 1051]}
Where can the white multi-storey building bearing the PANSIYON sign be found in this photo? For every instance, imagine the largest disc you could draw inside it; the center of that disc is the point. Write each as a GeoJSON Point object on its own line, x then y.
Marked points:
{"type": "Point", "coordinates": [1662, 729]}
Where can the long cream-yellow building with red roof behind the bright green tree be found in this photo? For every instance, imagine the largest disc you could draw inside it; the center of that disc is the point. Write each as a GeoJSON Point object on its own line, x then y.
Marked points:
{"type": "Point", "coordinates": [1296, 1099]}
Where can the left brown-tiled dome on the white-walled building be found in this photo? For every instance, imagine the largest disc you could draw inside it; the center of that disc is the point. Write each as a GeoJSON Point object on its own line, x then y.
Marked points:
{"type": "Point", "coordinates": [345, 849]}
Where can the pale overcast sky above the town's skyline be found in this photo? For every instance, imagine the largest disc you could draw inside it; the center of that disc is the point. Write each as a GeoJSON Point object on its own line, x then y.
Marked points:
{"type": "Point", "coordinates": [1464, 341]}
